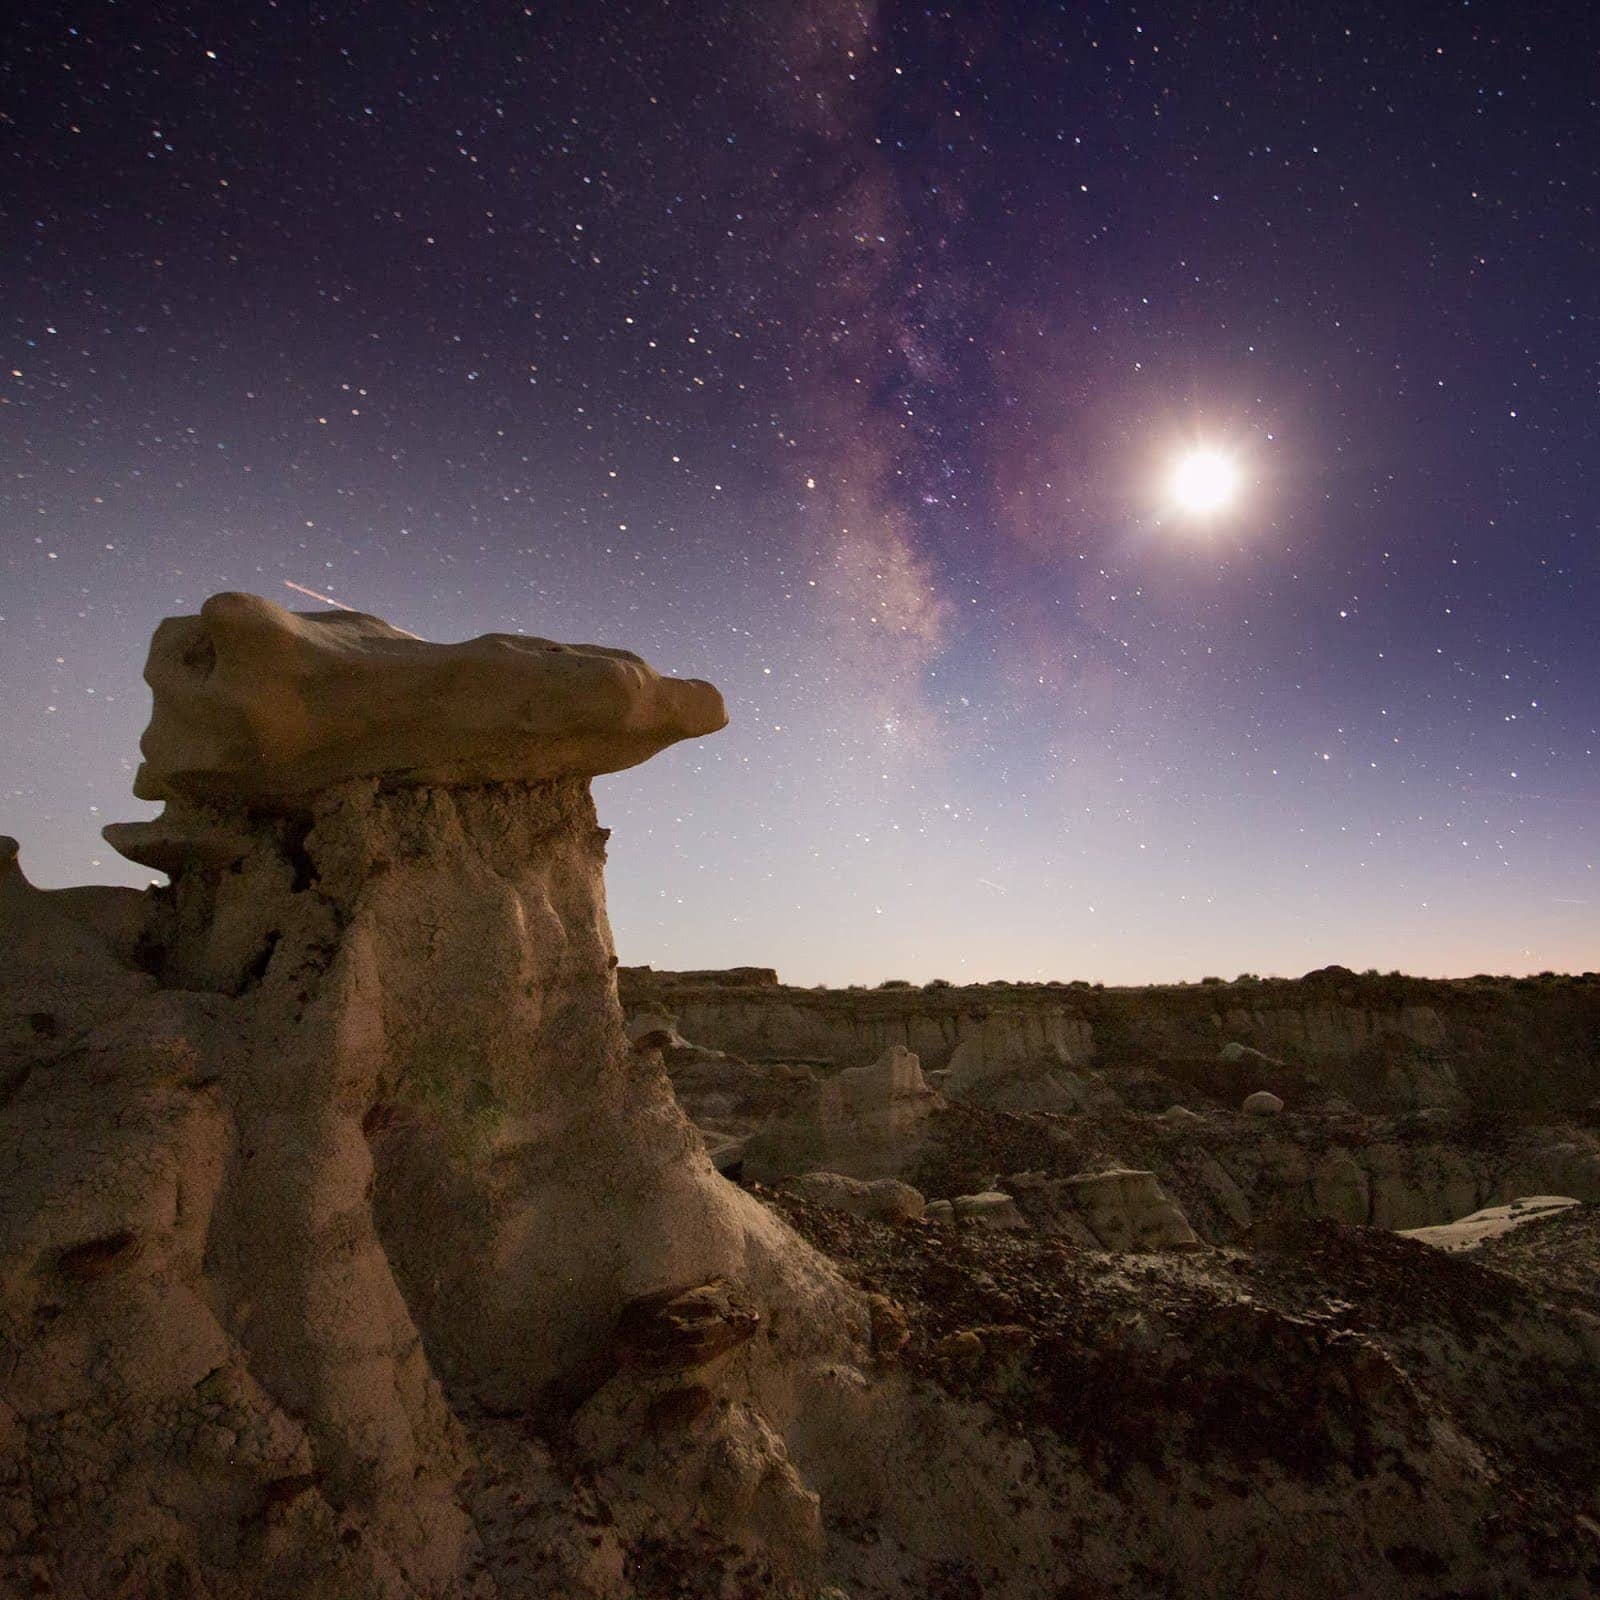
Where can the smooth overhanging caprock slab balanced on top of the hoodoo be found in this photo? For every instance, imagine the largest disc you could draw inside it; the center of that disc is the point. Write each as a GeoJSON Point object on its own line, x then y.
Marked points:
{"type": "Point", "coordinates": [268, 708]}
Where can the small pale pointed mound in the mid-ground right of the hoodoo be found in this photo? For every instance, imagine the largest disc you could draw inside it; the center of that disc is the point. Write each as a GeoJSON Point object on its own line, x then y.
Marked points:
{"type": "Point", "coordinates": [863, 1122]}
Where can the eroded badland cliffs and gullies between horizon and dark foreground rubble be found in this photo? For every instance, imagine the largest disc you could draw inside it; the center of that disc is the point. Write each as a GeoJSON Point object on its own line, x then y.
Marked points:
{"type": "Point", "coordinates": [1396, 1103]}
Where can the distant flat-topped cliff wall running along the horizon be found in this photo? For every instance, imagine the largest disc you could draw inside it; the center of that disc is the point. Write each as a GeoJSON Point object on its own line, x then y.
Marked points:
{"type": "Point", "coordinates": [1385, 1044]}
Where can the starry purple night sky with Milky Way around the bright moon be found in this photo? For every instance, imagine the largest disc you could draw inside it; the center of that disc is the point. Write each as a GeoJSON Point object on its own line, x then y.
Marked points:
{"type": "Point", "coordinates": [842, 354]}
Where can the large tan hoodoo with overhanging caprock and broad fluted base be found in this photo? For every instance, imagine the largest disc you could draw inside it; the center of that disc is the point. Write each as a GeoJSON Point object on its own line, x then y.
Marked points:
{"type": "Point", "coordinates": [345, 1126]}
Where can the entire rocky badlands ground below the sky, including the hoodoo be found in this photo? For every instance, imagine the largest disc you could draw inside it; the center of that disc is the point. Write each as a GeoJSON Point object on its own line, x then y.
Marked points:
{"type": "Point", "coordinates": [367, 1233]}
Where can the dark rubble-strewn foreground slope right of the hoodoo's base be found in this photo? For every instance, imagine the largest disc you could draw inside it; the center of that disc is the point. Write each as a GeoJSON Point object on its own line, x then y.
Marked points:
{"type": "Point", "coordinates": [1359, 1375]}
